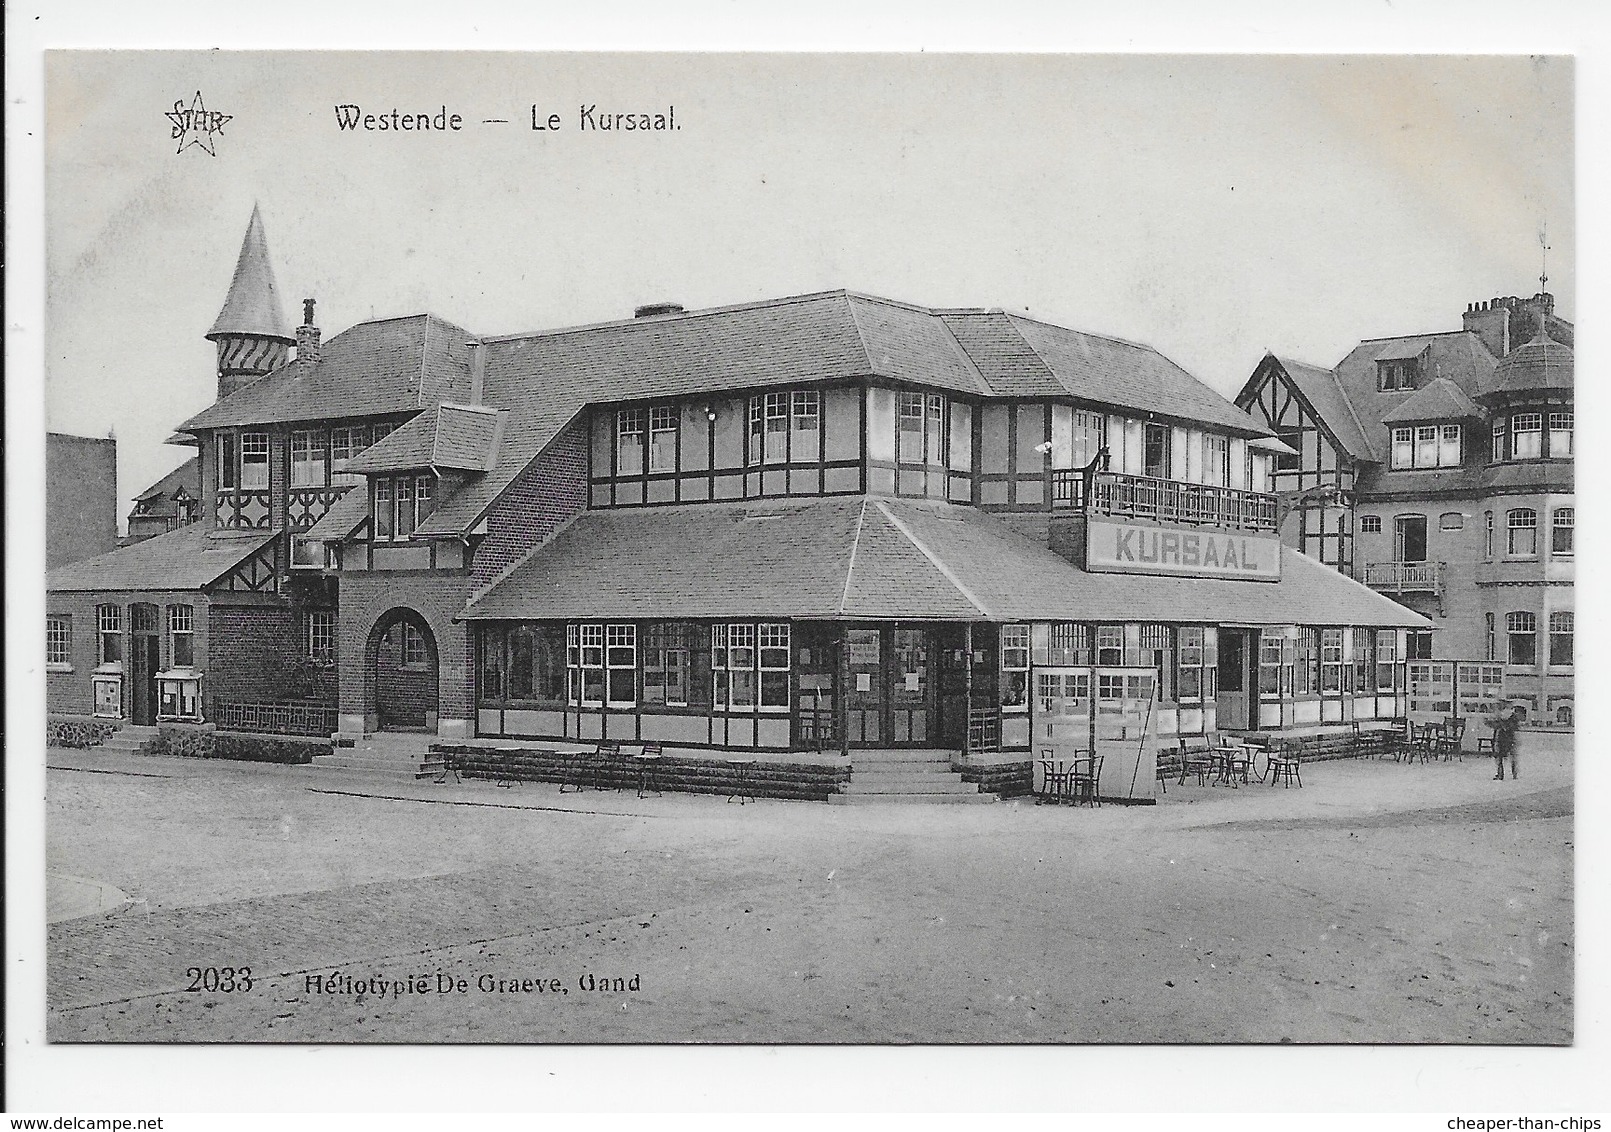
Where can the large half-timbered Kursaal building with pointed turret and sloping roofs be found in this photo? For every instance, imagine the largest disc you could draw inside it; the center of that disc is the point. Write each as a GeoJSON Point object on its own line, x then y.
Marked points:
{"type": "Point", "coordinates": [824, 523]}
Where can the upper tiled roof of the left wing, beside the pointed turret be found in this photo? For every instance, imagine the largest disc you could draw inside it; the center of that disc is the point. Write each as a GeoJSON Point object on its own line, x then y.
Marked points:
{"type": "Point", "coordinates": [373, 370]}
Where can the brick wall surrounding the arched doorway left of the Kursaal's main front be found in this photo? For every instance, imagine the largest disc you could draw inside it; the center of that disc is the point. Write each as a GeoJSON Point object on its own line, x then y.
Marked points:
{"type": "Point", "coordinates": [368, 600]}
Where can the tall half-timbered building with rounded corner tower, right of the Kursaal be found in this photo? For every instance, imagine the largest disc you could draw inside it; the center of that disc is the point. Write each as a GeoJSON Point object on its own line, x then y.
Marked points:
{"type": "Point", "coordinates": [1449, 463]}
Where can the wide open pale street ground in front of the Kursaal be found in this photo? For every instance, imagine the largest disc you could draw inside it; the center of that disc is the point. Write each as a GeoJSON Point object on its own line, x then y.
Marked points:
{"type": "Point", "coordinates": [1224, 915]}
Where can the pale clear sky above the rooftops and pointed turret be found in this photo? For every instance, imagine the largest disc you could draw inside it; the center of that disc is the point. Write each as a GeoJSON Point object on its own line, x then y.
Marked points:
{"type": "Point", "coordinates": [1211, 207]}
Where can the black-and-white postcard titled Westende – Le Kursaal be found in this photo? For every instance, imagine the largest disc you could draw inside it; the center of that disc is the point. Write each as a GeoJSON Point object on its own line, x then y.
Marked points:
{"type": "Point", "coordinates": [582, 548]}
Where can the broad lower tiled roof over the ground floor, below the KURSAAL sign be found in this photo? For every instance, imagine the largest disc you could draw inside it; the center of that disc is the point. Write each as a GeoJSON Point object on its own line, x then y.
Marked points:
{"type": "Point", "coordinates": [879, 560]}
